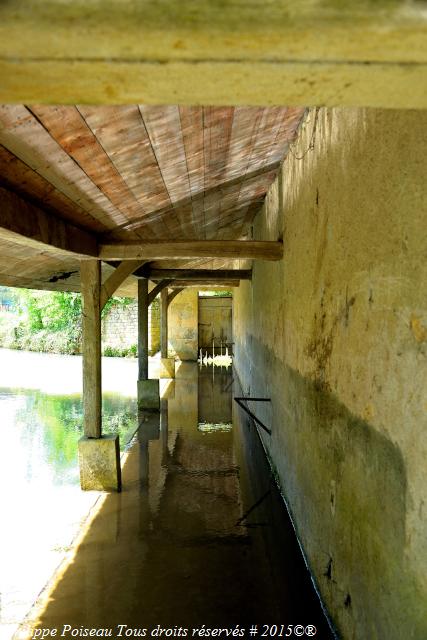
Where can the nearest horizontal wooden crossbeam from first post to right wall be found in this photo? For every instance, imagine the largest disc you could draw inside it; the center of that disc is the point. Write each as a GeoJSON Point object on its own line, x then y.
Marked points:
{"type": "Point", "coordinates": [162, 249]}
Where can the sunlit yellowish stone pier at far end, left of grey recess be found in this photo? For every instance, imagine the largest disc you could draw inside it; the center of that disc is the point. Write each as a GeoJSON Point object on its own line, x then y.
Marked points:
{"type": "Point", "coordinates": [183, 325]}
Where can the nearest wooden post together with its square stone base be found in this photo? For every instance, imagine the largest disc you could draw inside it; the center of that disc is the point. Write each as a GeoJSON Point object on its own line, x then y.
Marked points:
{"type": "Point", "coordinates": [99, 457]}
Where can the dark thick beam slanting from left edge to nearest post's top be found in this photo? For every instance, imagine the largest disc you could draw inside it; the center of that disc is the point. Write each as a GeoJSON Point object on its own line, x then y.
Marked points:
{"type": "Point", "coordinates": [28, 225]}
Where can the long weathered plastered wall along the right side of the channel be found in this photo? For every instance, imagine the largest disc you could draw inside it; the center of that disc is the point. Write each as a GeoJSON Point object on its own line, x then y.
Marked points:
{"type": "Point", "coordinates": [338, 340]}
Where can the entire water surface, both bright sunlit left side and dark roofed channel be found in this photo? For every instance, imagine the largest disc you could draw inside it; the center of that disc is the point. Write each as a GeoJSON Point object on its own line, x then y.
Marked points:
{"type": "Point", "coordinates": [199, 534]}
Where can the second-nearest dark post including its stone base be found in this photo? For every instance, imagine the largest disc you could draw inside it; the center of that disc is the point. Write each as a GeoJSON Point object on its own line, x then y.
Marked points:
{"type": "Point", "coordinates": [148, 390]}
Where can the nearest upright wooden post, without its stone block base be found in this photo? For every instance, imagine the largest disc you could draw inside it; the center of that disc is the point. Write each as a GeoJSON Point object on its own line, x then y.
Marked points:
{"type": "Point", "coordinates": [90, 271]}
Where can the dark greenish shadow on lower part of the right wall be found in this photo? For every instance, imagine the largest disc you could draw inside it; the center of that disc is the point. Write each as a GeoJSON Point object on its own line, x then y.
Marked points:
{"type": "Point", "coordinates": [352, 526]}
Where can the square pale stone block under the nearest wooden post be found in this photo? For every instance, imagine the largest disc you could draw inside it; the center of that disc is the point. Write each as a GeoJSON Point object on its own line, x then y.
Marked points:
{"type": "Point", "coordinates": [99, 461]}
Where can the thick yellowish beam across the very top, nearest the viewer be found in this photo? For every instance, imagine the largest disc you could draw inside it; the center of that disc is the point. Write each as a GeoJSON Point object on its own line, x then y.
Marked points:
{"type": "Point", "coordinates": [293, 51]}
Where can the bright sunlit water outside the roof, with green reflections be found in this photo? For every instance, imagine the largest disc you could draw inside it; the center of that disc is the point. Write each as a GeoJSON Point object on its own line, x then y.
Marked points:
{"type": "Point", "coordinates": [42, 506]}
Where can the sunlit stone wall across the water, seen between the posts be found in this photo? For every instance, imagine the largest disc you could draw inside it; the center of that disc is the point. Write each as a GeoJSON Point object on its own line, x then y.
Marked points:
{"type": "Point", "coordinates": [120, 327]}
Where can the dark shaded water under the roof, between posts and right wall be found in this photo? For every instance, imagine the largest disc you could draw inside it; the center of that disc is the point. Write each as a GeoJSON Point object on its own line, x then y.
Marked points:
{"type": "Point", "coordinates": [199, 535]}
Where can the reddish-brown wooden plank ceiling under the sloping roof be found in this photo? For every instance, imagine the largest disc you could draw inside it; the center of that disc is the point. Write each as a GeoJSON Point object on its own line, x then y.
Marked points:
{"type": "Point", "coordinates": [137, 172]}
